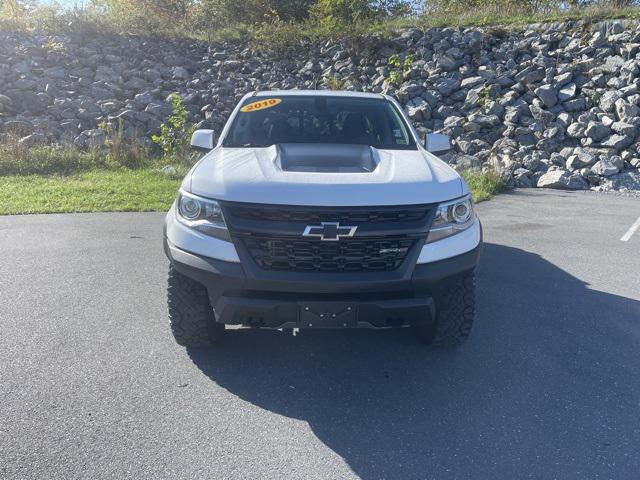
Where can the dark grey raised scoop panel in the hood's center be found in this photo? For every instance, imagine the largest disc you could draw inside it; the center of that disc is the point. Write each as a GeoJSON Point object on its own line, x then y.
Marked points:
{"type": "Point", "coordinates": [326, 158]}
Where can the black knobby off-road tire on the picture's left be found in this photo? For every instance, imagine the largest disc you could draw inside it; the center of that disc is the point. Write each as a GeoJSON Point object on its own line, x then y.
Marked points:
{"type": "Point", "coordinates": [190, 314]}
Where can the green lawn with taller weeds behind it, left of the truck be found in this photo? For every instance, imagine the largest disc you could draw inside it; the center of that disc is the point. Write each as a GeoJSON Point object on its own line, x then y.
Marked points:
{"type": "Point", "coordinates": [64, 178]}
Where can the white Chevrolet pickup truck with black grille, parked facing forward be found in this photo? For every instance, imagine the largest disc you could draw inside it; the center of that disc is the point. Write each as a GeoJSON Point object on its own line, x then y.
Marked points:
{"type": "Point", "coordinates": [321, 209]}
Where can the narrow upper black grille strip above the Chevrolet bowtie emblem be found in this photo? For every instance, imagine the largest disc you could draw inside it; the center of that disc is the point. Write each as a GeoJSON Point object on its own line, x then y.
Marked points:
{"type": "Point", "coordinates": [348, 216]}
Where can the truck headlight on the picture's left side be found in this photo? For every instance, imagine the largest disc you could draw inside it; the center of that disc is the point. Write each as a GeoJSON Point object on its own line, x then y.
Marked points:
{"type": "Point", "coordinates": [202, 214]}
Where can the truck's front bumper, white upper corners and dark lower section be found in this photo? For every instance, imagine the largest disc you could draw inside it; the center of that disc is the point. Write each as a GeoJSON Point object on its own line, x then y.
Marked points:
{"type": "Point", "coordinates": [321, 300]}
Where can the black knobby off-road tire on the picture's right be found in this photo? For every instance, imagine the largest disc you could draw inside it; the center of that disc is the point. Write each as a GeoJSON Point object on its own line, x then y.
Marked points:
{"type": "Point", "coordinates": [455, 309]}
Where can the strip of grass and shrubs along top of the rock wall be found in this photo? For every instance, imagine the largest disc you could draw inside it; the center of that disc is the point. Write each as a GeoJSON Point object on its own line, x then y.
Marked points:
{"type": "Point", "coordinates": [352, 21]}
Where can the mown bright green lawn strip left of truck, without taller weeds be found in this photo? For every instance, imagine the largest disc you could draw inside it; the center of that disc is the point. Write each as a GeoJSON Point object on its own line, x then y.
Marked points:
{"type": "Point", "coordinates": [94, 191]}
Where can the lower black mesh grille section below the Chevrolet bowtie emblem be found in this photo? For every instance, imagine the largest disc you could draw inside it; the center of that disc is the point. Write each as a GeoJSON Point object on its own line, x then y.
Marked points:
{"type": "Point", "coordinates": [292, 254]}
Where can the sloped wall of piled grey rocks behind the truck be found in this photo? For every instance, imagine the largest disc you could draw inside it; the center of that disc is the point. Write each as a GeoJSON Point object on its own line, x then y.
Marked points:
{"type": "Point", "coordinates": [554, 105]}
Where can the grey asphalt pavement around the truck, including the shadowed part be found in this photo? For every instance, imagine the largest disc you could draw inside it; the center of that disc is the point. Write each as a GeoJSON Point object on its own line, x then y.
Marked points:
{"type": "Point", "coordinates": [93, 386]}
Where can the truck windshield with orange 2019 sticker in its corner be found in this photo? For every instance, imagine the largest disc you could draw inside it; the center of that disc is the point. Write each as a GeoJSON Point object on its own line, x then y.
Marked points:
{"type": "Point", "coordinates": [262, 122]}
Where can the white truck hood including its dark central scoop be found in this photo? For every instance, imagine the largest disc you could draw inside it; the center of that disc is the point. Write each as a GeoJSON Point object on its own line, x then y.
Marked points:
{"type": "Point", "coordinates": [297, 175]}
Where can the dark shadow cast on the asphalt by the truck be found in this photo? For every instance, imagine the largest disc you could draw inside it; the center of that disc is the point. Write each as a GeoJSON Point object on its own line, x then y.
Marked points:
{"type": "Point", "coordinates": [547, 386]}
